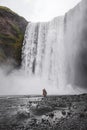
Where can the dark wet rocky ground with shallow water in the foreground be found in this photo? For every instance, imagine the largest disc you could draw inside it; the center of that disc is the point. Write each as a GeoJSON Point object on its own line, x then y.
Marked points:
{"type": "Point", "coordinates": [38, 113]}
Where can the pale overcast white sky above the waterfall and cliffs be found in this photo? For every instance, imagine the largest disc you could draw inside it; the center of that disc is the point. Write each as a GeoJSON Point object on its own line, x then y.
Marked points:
{"type": "Point", "coordinates": [39, 10]}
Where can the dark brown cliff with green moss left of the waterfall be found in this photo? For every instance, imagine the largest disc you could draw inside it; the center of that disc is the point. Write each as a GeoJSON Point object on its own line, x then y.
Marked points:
{"type": "Point", "coordinates": [12, 29]}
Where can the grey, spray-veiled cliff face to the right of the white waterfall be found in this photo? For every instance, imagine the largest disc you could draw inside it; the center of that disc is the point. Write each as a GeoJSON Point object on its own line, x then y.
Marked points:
{"type": "Point", "coordinates": [76, 42]}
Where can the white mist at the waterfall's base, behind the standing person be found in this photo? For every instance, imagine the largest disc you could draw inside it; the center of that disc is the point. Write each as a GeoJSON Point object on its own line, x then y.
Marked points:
{"type": "Point", "coordinates": [18, 83]}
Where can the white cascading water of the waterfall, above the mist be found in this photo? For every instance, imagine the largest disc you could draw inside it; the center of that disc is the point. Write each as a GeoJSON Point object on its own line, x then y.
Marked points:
{"type": "Point", "coordinates": [43, 52]}
